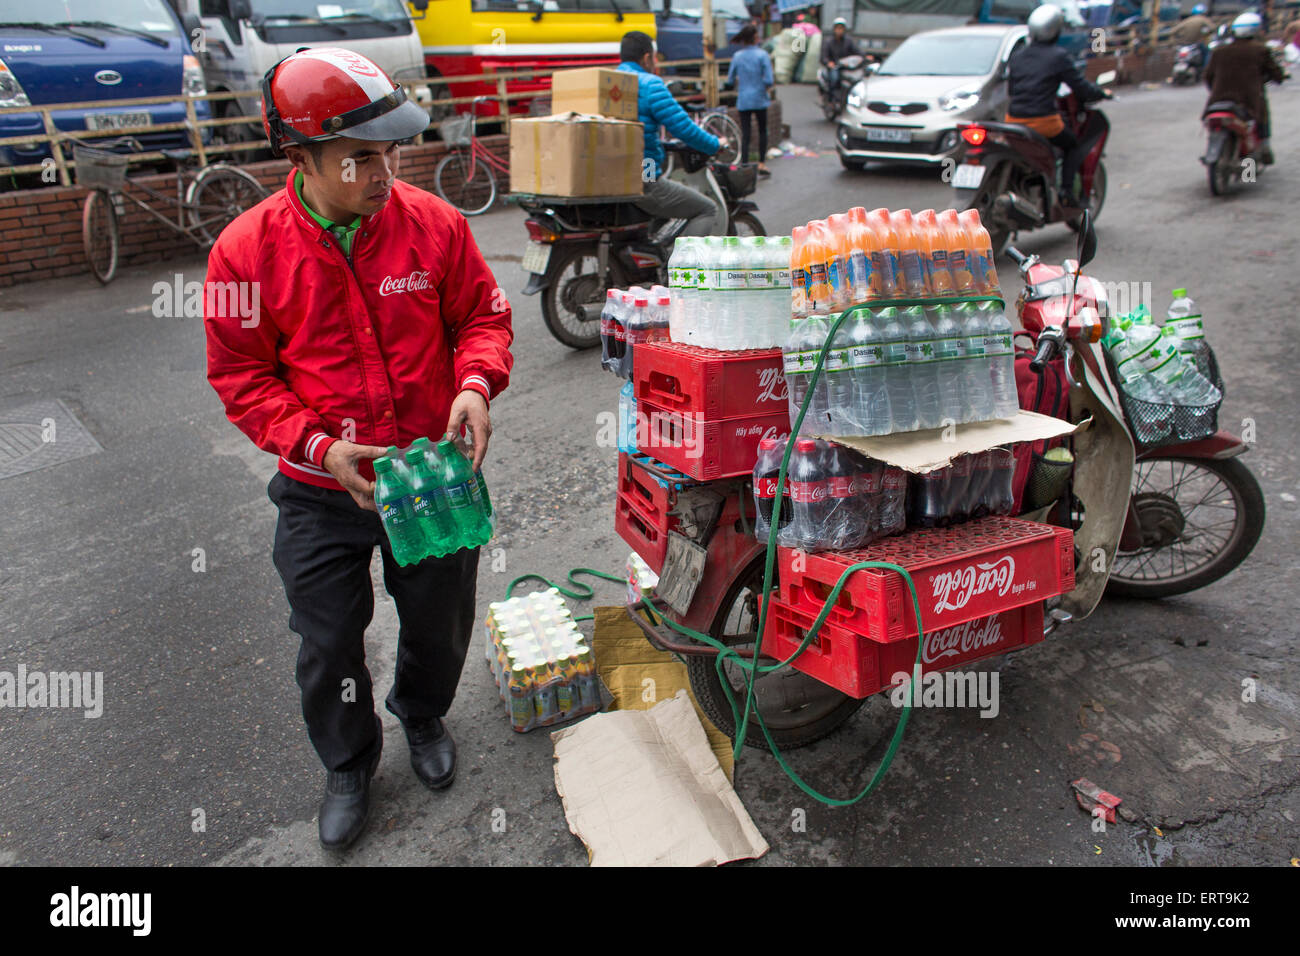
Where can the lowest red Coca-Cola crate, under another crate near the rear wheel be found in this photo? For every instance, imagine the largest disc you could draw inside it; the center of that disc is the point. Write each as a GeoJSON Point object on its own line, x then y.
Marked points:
{"type": "Point", "coordinates": [860, 667]}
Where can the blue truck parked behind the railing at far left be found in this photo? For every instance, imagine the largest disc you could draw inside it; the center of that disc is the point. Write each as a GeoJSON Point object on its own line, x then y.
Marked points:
{"type": "Point", "coordinates": [83, 51]}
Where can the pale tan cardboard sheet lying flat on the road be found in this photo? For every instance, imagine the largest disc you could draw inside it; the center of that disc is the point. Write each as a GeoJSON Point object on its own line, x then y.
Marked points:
{"type": "Point", "coordinates": [644, 789]}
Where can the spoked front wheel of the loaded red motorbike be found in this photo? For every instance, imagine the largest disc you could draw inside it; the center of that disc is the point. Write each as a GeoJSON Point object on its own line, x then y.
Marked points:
{"type": "Point", "coordinates": [1178, 556]}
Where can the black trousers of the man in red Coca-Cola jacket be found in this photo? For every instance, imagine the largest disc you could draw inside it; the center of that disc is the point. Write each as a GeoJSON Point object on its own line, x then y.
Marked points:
{"type": "Point", "coordinates": [324, 544]}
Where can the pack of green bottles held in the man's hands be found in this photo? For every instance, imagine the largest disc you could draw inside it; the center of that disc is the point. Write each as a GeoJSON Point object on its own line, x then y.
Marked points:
{"type": "Point", "coordinates": [431, 501]}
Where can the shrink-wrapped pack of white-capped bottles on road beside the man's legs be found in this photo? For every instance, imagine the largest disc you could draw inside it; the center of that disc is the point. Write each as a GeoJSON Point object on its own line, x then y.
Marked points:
{"type": "Point", "coordinates": [544, 669]}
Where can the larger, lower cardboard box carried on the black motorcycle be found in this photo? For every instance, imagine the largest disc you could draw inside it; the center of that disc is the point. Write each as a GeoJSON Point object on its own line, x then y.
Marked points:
{"type": "Point", "coordinates": [577, 155]}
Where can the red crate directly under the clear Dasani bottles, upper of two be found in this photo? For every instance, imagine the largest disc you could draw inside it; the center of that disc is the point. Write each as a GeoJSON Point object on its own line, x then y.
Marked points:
{"type": "Point", "coordinates": [709, 383]}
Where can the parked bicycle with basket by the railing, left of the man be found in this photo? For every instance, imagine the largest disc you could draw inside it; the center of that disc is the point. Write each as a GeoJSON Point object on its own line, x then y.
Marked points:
{"type": "Point", "coordinates": [215, 197]}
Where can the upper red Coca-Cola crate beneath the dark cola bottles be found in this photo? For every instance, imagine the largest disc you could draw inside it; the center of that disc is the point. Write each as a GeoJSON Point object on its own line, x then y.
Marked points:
{"type": "Point", "coordinates": [963, 573]}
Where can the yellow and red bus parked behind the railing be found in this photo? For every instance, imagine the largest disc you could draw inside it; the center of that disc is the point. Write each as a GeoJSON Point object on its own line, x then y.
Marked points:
{"type": "Point", "coordinates": [473, 37]}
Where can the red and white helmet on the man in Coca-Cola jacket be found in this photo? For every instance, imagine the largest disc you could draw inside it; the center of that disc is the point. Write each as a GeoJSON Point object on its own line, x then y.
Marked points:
{"type": "Point", "coordinates": [323, 94]}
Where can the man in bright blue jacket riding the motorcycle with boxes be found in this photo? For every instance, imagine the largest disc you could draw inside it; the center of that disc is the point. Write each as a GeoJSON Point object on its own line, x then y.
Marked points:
{"type": "Point", "coordinates": [656, 107]}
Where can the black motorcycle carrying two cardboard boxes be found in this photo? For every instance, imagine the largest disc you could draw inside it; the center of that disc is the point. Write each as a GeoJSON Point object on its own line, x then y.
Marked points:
{"type": "Point", "coordinates": [580, 248]}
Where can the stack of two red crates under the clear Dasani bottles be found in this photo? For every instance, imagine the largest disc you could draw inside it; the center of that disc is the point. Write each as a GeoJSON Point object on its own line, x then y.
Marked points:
{"type": "Point", "coordinates": [705, 412]}
